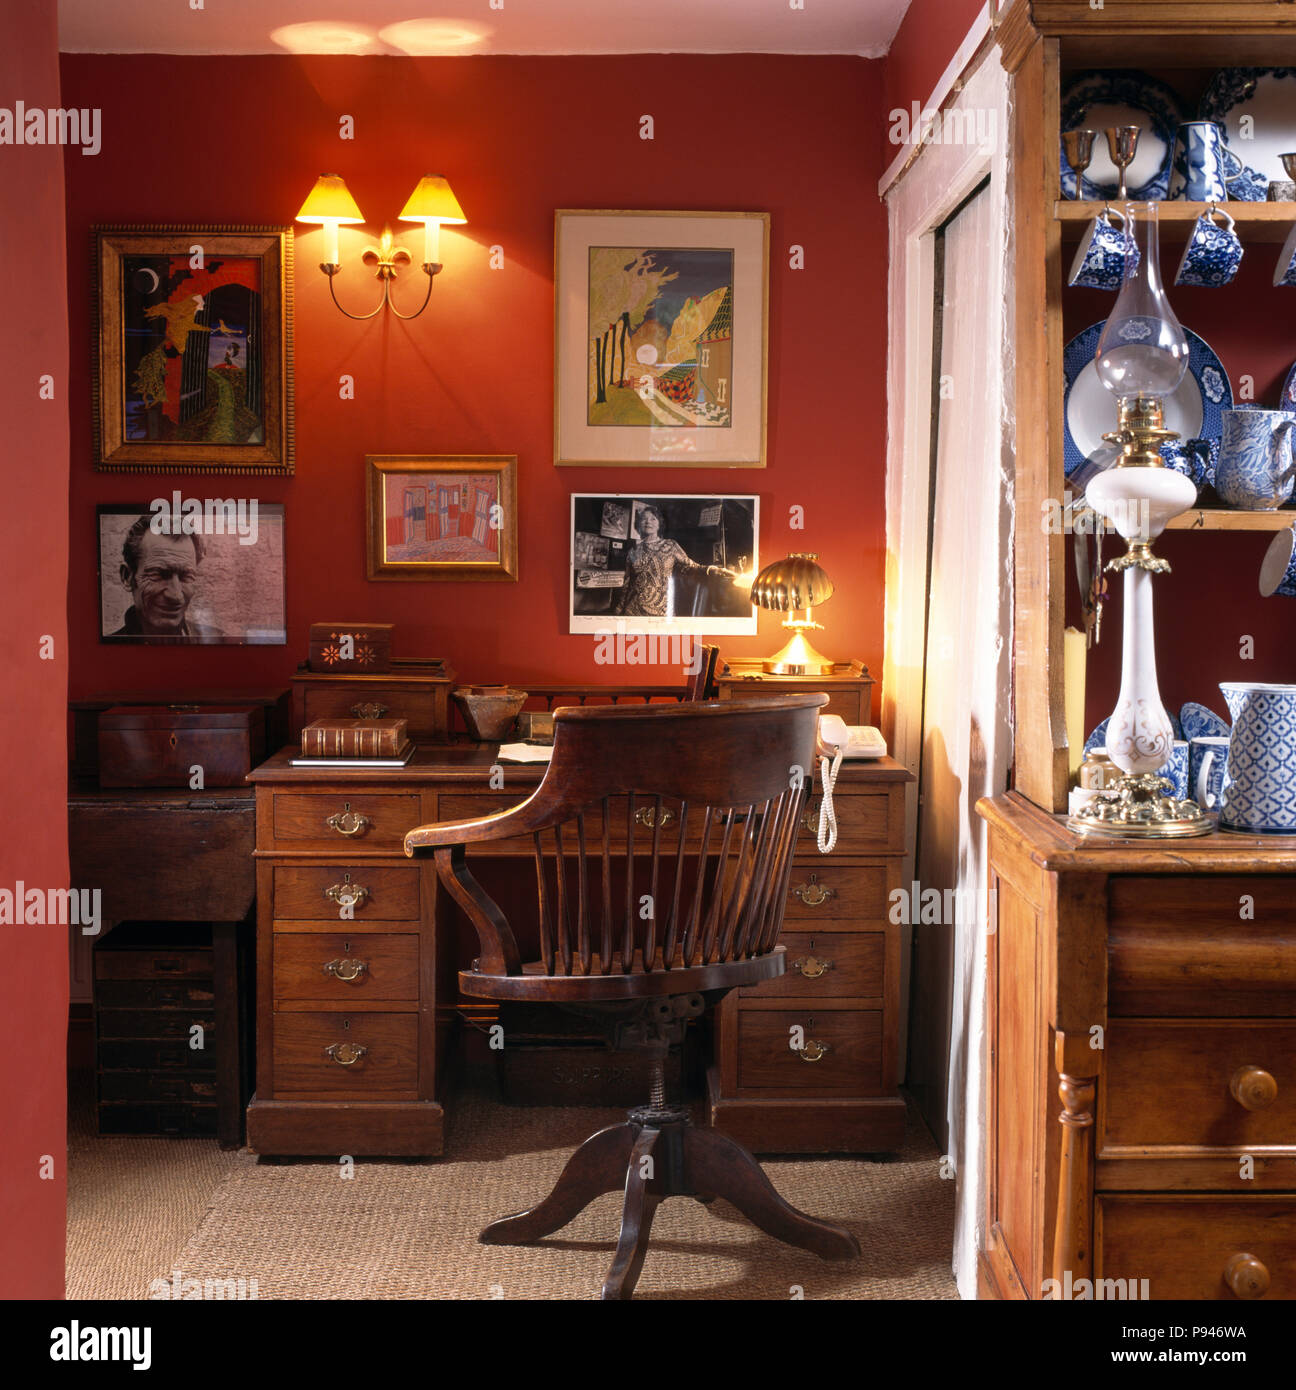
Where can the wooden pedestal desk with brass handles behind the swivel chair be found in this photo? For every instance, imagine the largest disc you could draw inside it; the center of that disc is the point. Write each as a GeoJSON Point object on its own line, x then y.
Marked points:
{"type": "Point", "coordinates": [354, 1015]}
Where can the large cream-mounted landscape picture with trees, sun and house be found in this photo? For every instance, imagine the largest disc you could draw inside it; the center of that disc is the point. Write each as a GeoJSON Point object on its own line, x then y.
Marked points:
{"type": "Point", "coordinates": [661, 338]}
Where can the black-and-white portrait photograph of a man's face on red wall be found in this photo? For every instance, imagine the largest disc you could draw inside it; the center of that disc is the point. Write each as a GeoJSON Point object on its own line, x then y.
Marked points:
{"type": "Point", "coordinates": [188, 572]}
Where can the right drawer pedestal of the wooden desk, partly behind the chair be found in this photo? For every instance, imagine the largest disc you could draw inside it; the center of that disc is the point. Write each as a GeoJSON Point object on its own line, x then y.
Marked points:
{"type": "Point", "coordinates": [807, 1063]}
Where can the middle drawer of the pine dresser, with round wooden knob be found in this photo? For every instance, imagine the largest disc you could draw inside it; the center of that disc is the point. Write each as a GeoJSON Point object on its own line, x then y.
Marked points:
{"type": "Point", "coordinates": [1169, 1084]}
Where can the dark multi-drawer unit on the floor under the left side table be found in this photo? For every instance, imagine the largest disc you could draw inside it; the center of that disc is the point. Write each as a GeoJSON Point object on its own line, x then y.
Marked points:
{"type": "Point", "coordinates": [155, 1029]}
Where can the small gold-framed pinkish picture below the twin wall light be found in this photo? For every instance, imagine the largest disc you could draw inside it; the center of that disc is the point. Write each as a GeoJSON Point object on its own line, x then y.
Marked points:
{"type": "Point", "coordinates": [442, 516]}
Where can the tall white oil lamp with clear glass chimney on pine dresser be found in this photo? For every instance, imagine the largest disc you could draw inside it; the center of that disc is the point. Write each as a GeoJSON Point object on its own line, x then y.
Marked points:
{"type": "Point", "coordinates": [1141, 359]}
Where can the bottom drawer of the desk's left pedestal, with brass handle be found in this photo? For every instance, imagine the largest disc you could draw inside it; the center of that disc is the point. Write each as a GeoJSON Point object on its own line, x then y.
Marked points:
{"type": "Point", "coordinates": [389, 1063]}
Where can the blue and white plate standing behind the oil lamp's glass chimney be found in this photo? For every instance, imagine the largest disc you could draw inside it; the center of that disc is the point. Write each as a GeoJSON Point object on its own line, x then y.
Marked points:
{"type": "Point", "coordinates": [1194, 412]}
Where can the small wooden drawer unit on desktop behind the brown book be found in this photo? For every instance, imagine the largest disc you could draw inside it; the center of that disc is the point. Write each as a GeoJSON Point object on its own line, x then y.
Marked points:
{"type": "Point", "coordinates": [418, 692]}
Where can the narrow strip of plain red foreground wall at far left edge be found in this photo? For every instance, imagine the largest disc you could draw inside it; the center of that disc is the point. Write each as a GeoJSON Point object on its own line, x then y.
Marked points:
{"type": "Point", "coordinates": [34, 985]}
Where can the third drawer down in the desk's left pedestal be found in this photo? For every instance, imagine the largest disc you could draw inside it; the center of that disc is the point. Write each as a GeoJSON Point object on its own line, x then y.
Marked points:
{"type": "Point", "coordinates": [369, 967]}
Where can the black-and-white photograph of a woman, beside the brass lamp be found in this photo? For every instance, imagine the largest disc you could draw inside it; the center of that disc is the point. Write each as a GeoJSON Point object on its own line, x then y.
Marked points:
{"type": "Point", "coordinates": [665, 564]}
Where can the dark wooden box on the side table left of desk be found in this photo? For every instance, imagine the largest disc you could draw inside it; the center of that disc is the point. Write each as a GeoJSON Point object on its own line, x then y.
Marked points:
{"type": "Point", "coordinates": [159, 746]}
